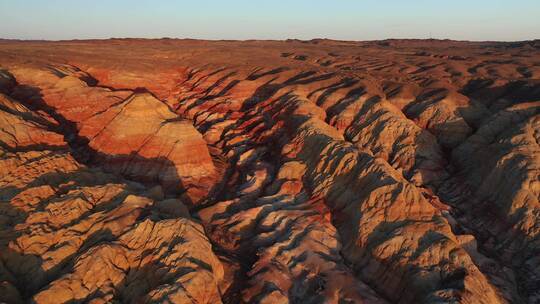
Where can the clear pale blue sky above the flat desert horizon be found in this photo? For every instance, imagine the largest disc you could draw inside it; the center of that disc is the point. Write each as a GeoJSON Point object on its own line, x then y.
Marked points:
{"type": "Point", "coordinates": [243, 19]}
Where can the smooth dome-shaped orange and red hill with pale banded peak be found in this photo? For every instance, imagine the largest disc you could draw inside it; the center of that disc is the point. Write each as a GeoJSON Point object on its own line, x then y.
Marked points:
{"type": "Point", "coordinates": [143, 140]}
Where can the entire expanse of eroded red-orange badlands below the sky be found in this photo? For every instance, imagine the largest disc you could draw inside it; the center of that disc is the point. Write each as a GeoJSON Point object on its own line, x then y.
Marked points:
{"type": "Point", "coordinates": [184, 171]}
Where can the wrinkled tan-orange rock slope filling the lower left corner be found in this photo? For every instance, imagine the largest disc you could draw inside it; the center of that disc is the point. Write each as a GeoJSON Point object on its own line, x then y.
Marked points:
{"type": "Point", "coordinates": [73, 233]}
